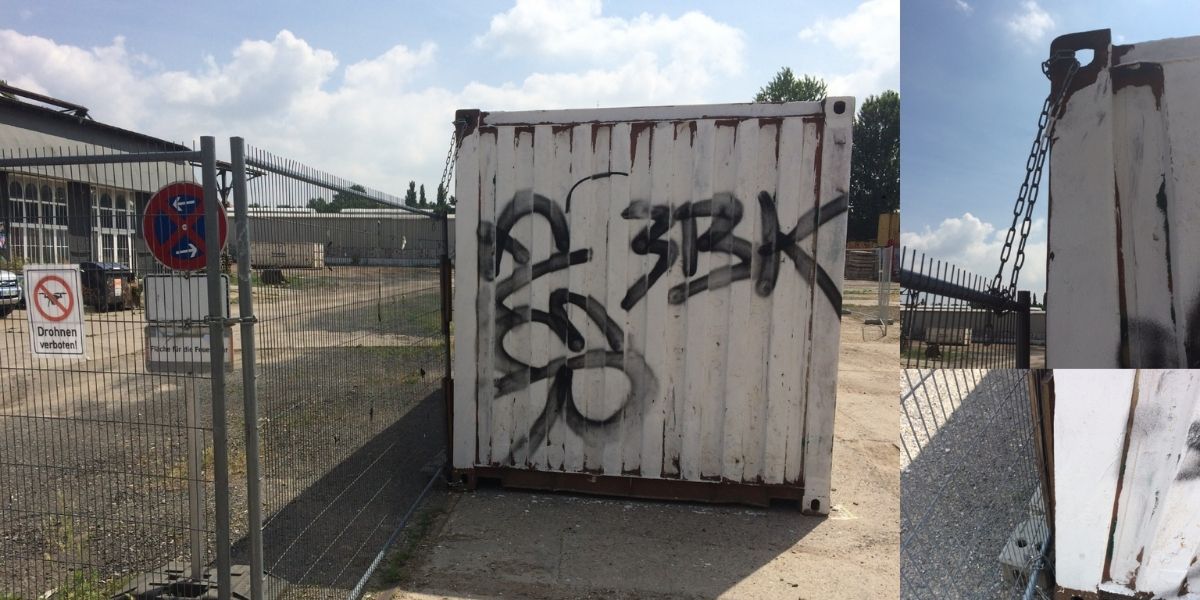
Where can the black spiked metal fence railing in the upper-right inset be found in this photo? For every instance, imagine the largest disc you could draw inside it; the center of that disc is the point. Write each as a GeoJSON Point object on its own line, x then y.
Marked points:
{"type": "Point", "coordinates": [951, 320]}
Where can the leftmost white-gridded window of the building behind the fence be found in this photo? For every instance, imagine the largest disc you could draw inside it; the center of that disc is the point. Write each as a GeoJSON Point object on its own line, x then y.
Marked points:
{"type": "Point", "coordinates": [39, 235]}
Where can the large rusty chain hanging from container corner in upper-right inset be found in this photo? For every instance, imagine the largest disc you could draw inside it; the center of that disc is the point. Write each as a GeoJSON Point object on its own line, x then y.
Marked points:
{"type": "Point", "coordinates": [1034, 166]}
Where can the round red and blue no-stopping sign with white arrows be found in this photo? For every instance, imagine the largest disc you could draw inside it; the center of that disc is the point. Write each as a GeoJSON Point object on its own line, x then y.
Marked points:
{"type": "Point", "coordinates": [173, 226]}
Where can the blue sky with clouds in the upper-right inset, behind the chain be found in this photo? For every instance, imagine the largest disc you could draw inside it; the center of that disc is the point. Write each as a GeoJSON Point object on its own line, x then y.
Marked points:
{"type": "Point", "coordinates": [973, 89]}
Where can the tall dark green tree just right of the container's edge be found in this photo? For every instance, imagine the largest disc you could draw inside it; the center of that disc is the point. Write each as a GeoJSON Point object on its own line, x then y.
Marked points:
{"type": "Point", "coordinates": [875, 166]}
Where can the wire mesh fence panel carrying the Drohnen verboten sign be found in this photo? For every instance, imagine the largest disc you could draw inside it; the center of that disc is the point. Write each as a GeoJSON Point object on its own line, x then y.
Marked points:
{"type": "Point", "coordinates": [106, 466]}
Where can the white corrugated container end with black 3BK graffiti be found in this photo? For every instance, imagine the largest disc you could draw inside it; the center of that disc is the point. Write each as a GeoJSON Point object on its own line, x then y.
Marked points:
{"type": "Point", "coordinates": [657, 292]}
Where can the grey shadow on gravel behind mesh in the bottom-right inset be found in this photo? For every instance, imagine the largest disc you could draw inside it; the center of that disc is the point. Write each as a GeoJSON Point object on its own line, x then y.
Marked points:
{"type": "Point", "coordinates": [967, 491]}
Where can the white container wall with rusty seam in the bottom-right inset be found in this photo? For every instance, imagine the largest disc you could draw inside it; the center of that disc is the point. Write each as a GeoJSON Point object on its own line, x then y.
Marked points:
{"type": "Point", "coordinates": [1127, 483]}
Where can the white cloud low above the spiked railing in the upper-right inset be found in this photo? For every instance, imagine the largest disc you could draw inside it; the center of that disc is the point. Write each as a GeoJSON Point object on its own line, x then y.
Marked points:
{"type": "Point", "coordinates": [975, 245]}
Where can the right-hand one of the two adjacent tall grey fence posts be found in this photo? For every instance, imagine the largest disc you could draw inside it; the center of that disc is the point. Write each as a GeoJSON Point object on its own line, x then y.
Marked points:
{"type": "Point", "coordinates": [247, 316]}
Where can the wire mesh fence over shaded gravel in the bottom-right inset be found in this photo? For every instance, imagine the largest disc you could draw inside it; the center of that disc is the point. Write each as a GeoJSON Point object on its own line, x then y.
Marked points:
{"type": "Point", "coordinates": [974, 519]}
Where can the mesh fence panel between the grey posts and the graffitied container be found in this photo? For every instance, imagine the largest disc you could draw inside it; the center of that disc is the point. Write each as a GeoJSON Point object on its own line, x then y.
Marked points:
{"type": "Point", "coordinates": [351, 356]}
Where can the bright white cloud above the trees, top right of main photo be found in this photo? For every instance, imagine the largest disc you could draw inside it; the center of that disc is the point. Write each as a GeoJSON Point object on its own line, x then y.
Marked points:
{"type": "Point", "coordinates": [872, 35]}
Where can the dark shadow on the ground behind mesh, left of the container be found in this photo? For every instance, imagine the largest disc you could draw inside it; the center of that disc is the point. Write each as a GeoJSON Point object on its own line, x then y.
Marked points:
{"type": "Point", "coordinates": [327, 537]}
